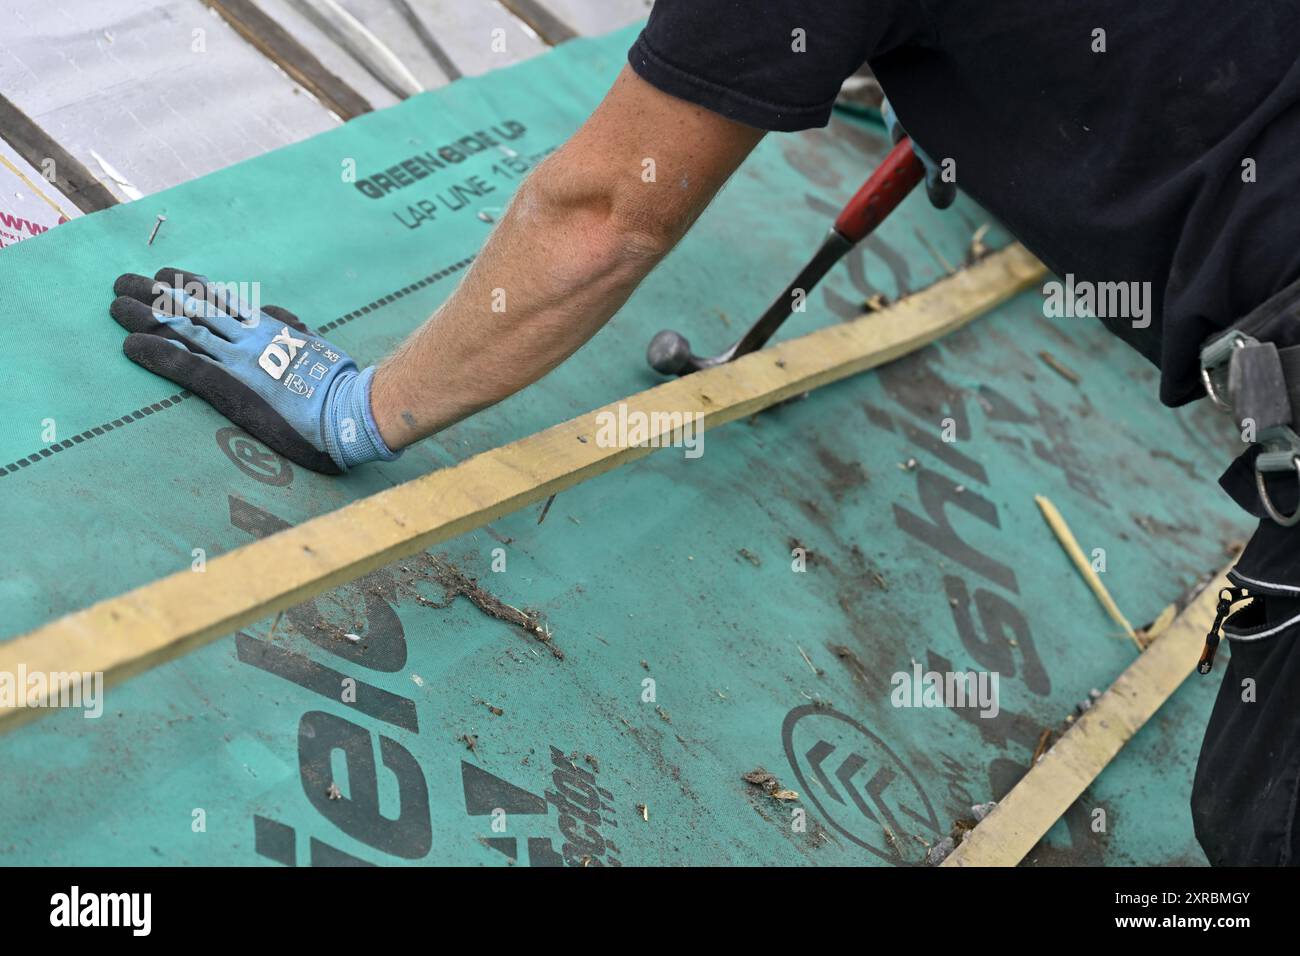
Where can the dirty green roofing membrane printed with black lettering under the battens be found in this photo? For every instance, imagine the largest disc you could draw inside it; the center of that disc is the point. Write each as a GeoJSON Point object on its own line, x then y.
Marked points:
{"type": "Point", "coordinates": [695, 650]}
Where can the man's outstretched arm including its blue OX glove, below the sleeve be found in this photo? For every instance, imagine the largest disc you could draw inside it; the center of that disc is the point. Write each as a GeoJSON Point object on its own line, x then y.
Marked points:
{"type": "Point", "coordinates": [582, 232]}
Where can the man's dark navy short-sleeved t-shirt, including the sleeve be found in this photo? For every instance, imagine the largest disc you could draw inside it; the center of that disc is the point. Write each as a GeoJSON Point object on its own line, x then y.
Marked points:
{"type": "Point", "coordinates": [1121, 142]}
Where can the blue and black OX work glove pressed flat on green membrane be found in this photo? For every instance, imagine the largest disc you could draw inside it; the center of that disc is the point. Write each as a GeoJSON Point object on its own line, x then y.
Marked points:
{"type": "Point", "coordinates": [262, 369]}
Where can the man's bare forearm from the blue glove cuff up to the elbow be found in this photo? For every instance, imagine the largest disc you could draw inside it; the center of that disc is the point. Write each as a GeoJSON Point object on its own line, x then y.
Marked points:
{"type": "Point", "coordinates": [557, 267]}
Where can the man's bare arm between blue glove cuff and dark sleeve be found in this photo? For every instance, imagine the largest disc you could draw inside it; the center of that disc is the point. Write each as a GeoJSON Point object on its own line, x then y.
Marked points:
{"type": "Point", "coordinates": [579, 237]}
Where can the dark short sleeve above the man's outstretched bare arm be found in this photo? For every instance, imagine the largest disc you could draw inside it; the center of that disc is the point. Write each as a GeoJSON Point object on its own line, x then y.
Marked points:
{"type": "Point", "coordinates": [773, 64]}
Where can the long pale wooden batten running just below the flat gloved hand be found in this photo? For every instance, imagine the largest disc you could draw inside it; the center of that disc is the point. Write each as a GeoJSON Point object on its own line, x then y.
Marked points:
{"type": "Point", "coordinates": [125, 635]}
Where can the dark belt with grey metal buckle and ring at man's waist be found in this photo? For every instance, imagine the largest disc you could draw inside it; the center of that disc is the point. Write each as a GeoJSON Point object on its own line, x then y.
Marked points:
{"type": "Point", "coordinates": [1249, 375]}
